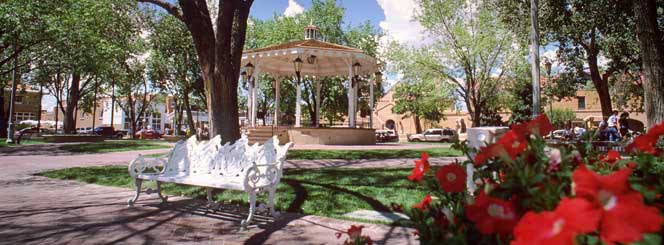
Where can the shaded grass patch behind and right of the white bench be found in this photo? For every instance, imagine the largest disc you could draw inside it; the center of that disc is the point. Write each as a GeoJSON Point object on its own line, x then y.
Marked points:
{"type": "Point", "coordinates": [329, 192]}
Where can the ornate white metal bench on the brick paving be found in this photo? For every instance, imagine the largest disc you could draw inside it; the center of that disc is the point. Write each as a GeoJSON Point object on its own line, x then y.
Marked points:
{"type": "Point", "coordinates": [238, 166]}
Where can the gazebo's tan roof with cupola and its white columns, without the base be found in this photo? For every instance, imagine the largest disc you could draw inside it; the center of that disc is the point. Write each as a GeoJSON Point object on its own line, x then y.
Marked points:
{"type": "Point", "coordinates": [315, 58]}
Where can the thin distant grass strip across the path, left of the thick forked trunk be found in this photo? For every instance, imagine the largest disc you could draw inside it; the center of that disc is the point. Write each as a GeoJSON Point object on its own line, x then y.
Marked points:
{"type": "Point", "coordinates": [116, 146]}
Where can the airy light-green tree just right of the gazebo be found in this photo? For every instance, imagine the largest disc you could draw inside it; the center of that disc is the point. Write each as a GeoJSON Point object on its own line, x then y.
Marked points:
{"type": "Point", "coordinates": [469, 48]}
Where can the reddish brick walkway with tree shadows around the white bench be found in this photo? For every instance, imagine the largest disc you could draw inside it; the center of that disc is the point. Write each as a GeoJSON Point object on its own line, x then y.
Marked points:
{"type": "Point", "coordinates": [38, 210]}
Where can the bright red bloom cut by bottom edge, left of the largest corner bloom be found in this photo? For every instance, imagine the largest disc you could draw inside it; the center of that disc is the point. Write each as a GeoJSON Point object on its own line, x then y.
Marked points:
{"type": "Point", "coordinates": [571, 217]}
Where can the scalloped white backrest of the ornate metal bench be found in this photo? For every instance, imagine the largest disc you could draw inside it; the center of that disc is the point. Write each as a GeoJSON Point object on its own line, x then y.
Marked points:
{"type": "Point", "coordinates": [230, 160]}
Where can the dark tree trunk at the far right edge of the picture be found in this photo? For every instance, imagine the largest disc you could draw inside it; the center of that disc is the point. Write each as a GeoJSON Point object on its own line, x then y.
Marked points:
{"type": "Point", "coordinates": [652, 54]}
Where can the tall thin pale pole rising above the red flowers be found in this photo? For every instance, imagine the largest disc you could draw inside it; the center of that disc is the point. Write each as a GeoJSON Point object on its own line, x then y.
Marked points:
{"type": "Point", "coordinates": [534, 53]}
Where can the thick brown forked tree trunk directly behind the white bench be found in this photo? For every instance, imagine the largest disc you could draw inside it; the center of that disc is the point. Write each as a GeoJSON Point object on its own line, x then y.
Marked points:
{"type": "Point", "coordinates": [219, 56]}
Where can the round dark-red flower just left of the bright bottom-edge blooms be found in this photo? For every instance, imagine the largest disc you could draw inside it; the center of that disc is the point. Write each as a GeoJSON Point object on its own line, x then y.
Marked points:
{"type": "Point", "coordinates": [492, 215]}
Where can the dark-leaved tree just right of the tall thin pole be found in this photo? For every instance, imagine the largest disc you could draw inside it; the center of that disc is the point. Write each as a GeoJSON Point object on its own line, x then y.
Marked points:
{"type": "Point", "coordinates": [586, 33]}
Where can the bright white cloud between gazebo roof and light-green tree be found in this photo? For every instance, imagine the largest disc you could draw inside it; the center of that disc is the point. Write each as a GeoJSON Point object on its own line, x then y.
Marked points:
{"type": "Point", "coordinates": [399, 24]}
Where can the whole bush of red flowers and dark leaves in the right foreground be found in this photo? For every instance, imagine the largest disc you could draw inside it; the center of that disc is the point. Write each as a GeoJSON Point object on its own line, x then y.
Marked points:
{"type": "Point", "coordinates": [522, 191]}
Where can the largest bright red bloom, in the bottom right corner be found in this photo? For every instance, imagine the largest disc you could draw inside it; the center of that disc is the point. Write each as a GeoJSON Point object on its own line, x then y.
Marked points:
{"type": "Point", "coordinates": [625, 218]}
